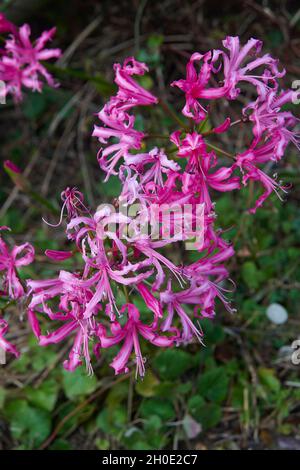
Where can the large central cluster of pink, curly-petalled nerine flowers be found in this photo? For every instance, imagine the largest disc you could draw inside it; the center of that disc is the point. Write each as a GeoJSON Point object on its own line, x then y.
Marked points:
{"type": "Point", "coordinates": [132, 287]}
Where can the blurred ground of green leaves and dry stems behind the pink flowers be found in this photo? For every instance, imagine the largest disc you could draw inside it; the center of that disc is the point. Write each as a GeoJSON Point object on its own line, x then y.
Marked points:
{"type": "Point", "coordinates": [241, 390]}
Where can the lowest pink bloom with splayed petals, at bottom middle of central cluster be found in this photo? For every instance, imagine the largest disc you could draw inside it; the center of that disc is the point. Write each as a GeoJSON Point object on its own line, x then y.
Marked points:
{"type": "Point", "coordinates": [130, 335]}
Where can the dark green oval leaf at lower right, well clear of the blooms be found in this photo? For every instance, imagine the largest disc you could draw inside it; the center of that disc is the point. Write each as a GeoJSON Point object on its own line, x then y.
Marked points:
{"type": "Point", "coordinates": [213, 384]}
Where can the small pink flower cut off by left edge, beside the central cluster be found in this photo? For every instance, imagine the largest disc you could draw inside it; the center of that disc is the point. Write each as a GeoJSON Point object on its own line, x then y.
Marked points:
{"type": "Point", "coordinates": [19, 256]}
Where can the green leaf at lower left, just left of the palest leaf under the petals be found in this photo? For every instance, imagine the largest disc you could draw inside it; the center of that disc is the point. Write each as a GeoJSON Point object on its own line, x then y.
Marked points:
{"type": "Point", "coordinates": [45, 396]}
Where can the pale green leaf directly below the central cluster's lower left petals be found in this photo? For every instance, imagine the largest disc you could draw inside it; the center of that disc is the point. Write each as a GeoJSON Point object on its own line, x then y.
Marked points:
{"type": "Point", "coordinates": [78, 383]}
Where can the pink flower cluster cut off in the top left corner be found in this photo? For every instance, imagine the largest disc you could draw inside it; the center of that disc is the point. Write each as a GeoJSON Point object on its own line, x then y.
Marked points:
{"type": "Point", "coordinates": [21, 61]}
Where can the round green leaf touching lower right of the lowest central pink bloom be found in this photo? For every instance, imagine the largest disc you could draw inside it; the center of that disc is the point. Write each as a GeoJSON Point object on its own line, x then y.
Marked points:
{"type": "Point", "coordinates": [172, 363]}
